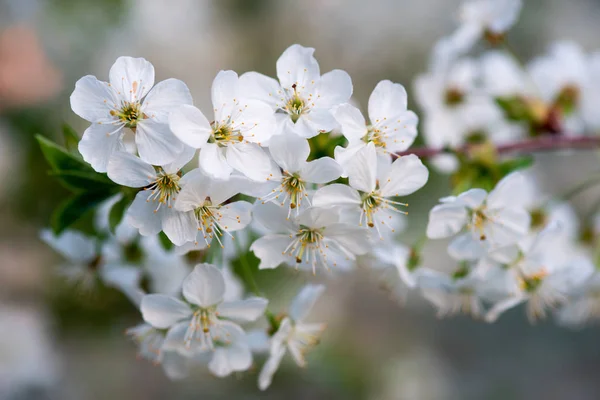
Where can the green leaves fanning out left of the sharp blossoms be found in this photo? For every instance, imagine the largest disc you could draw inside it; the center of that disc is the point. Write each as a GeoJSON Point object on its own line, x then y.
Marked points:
{"type": "Point", "coordinates": [89, 187]}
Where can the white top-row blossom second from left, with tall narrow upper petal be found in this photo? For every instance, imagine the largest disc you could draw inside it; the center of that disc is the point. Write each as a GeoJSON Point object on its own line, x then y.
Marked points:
{"type": "Point", "coordinates": [233, 139]}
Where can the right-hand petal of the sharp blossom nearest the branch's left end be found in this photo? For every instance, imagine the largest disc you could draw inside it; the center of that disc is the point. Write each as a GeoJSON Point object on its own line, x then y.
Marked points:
{"type": "Point", "coordinates": [406, 176]}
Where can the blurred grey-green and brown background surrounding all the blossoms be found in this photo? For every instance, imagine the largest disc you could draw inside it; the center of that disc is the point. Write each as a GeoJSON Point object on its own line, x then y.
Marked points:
{"type": "Point", "coordinates": [56, 344]}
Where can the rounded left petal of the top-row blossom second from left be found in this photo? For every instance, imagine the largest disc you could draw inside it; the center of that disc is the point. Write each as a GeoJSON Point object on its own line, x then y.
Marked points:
{"type": "Point", "coordinates": [190, 126]}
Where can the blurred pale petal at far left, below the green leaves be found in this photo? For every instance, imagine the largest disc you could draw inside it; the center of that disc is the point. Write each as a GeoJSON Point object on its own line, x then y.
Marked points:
{"type": "Point", "coordinates": [72, 245]}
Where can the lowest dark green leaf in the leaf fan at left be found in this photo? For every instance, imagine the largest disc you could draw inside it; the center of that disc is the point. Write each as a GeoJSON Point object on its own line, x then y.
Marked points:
{"type": "Point", "coordinates": [74, 208]}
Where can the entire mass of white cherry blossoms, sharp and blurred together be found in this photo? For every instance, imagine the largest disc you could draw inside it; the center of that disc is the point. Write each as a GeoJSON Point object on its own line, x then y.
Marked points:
{"type": "Point", "coordinates": [260, 172]}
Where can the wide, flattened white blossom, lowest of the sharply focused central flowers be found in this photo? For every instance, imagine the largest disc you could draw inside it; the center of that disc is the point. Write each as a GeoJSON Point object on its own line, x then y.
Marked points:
{"type": "Point", "coordinates": [315, 238]}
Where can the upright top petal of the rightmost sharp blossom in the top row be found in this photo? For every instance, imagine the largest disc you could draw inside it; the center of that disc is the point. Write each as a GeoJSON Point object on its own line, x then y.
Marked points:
{"type": "Point", "coordinates": [386, 101]}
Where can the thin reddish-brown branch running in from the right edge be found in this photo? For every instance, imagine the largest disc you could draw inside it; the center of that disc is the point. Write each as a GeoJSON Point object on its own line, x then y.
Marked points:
{"type": "Point", "coordinates": [544, 143]}
